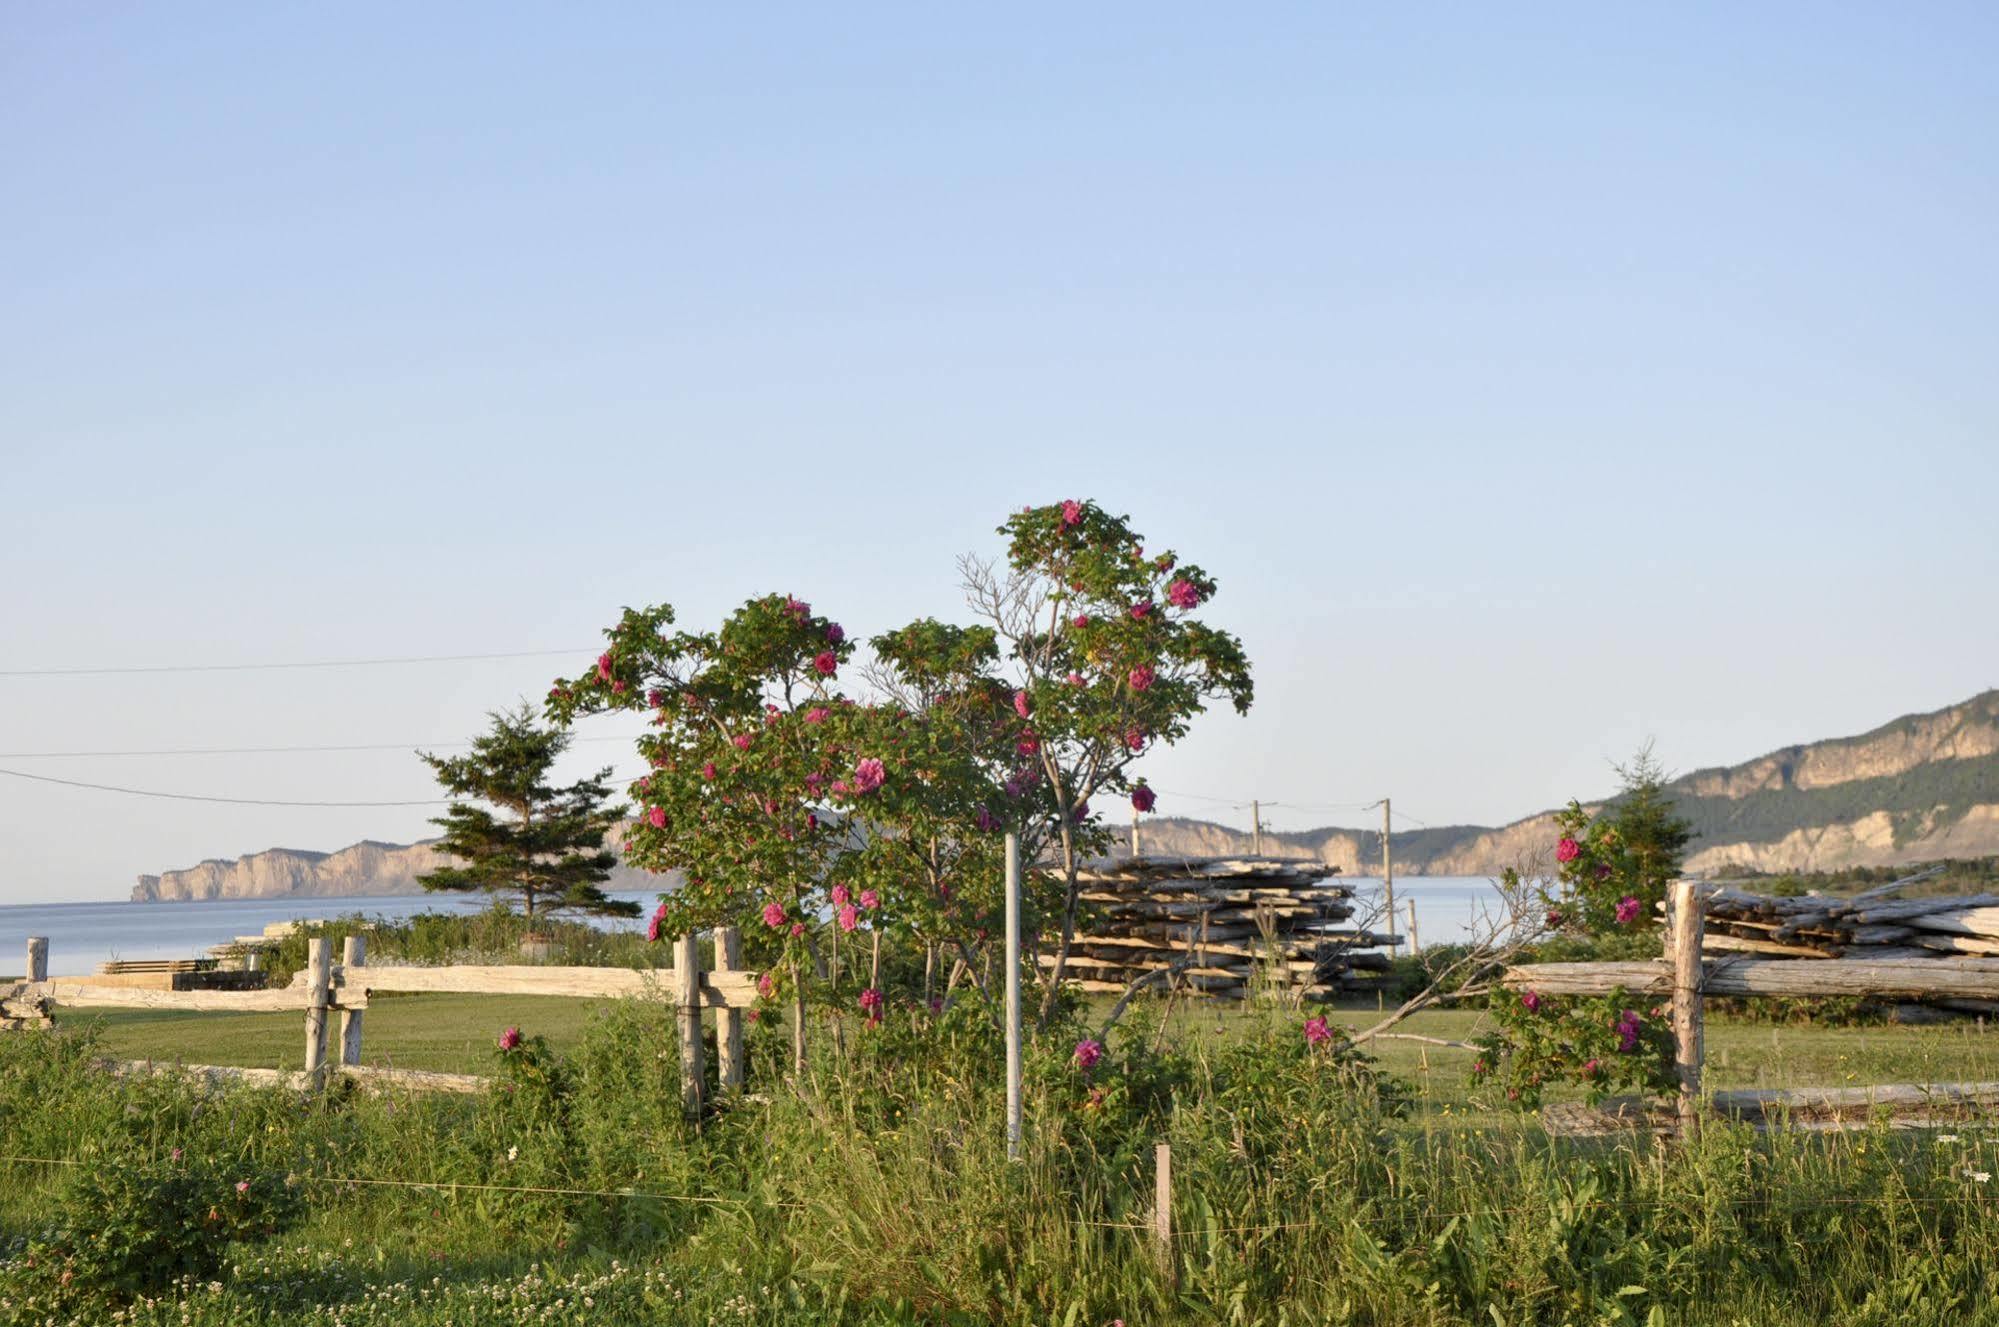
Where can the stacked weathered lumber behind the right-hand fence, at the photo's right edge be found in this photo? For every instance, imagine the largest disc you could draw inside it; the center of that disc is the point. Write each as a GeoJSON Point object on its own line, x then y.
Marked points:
{"type": "Point", "coordinates": [1852, 928]}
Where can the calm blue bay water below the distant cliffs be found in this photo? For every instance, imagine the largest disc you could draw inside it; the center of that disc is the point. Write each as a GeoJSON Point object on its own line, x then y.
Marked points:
{"type": "Point", "coordinates": [81, 936]}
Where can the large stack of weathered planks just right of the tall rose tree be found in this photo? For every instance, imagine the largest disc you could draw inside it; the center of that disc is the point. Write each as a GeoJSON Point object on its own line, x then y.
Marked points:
{"type": "Point", "coordinates": [1218, 922]}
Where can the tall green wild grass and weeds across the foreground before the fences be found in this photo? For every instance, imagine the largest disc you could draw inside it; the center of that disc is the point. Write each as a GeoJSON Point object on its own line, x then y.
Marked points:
{"type": "Point", "coordinates": [875, 1188]}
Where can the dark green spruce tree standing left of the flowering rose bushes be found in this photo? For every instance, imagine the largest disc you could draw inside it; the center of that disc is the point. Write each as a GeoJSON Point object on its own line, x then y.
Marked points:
{"type": "Point", "coordinates": [545, 848]}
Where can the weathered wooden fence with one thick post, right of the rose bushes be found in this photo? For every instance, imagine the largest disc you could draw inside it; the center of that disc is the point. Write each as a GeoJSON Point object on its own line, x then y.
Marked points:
{"type": "Point", "coordinates": [1686, 976]}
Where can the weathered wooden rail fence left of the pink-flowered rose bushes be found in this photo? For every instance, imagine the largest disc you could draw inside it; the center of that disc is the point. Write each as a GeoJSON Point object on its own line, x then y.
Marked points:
{"type": "Point", "coordinates": [325, 990]}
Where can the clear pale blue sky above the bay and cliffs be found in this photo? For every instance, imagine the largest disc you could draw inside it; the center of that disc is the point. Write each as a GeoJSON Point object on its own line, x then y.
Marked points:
{"type": "Point", "coordinates": [1532, 381]}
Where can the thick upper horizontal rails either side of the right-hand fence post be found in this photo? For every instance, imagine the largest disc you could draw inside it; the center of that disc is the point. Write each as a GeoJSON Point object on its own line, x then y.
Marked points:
{"type": "Point", "coordinates": [1918, 978]}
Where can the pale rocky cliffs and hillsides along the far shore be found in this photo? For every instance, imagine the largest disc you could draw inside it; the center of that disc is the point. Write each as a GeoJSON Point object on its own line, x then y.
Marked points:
{"type": "Point", "coordinates": [1920, 788]}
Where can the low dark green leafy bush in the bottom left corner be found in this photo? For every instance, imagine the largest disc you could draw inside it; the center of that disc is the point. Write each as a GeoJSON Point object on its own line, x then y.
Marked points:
{"type": "Point", "coordinates": [129, 1228]}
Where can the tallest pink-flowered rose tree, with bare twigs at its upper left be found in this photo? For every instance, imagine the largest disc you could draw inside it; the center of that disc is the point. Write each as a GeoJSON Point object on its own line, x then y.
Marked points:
{"type": "Point", "coordinates": [1106, 659]}
